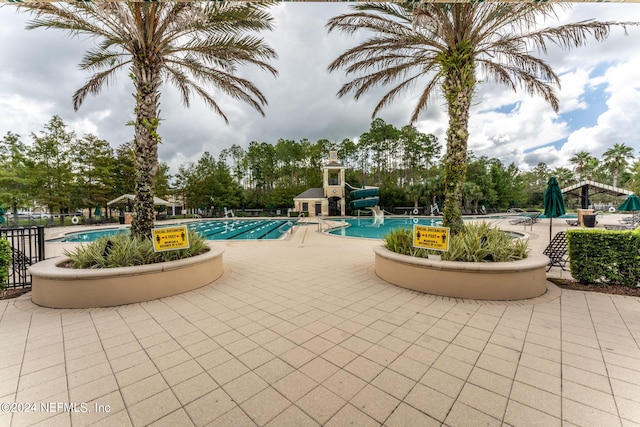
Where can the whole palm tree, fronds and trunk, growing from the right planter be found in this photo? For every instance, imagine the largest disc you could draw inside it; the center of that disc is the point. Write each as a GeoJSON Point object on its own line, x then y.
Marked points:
{"type": "Point", "coordinates": [453, 46]}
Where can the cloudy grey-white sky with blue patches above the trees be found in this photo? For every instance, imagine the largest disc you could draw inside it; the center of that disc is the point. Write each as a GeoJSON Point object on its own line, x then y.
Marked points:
{"type": "Point", "coordinates": [599, 99]}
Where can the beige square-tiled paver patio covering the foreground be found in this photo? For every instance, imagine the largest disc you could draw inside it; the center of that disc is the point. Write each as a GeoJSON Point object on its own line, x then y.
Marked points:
{"type": "Point", "coordinates": [302, 333]}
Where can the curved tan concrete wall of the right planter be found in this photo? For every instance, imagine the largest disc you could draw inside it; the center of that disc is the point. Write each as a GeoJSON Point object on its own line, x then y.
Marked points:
{"type": "Point", "coordinates": [470, 280]}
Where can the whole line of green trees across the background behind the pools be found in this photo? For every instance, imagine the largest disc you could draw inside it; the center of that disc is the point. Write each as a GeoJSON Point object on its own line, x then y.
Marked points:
{"type": "Point", "coordinates": [65, 172]}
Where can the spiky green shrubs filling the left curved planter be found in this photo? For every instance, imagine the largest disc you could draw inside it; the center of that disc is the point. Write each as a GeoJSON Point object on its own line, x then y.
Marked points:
{"type": "Point", "coordinates": [123, 251]}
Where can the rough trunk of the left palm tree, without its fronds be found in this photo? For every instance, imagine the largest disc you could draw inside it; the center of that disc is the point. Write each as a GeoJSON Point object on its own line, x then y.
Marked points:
{"type": "Point", "coordinates": [147, 83]}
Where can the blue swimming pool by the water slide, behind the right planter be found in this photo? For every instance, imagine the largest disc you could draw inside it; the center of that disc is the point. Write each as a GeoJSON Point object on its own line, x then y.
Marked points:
{"type": "Point", "coordinates": [371, 228]}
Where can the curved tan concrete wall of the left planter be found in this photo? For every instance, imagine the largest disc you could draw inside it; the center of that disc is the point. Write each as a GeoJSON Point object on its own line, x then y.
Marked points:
{"type": "Point", "coordinates": [58, 287]}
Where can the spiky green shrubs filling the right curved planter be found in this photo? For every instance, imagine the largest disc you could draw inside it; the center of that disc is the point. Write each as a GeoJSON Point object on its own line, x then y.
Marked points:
{"type": "Point", "coordinates": [476, 243]}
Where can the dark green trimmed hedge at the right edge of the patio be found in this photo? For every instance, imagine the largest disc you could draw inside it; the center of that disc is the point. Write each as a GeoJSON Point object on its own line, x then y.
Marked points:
{"type": "Point", "coordinates": [606, 257]}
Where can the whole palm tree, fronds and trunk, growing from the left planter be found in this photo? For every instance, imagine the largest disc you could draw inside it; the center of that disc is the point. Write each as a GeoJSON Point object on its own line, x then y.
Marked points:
{"type": "Point", "coordinates": [190, 45]}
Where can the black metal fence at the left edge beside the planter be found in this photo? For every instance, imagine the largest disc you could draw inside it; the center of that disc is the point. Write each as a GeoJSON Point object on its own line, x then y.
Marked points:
{"type": "Point", "coordinates": [27, 248]}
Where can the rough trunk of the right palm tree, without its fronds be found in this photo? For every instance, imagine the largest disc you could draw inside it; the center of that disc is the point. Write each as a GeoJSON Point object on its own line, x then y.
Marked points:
{"type": "Point", "coordinates": [458, 87]}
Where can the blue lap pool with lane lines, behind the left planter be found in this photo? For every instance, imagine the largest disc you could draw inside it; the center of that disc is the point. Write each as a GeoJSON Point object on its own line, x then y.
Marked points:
{"type": "Point", "coordinates": [238, 229]}
